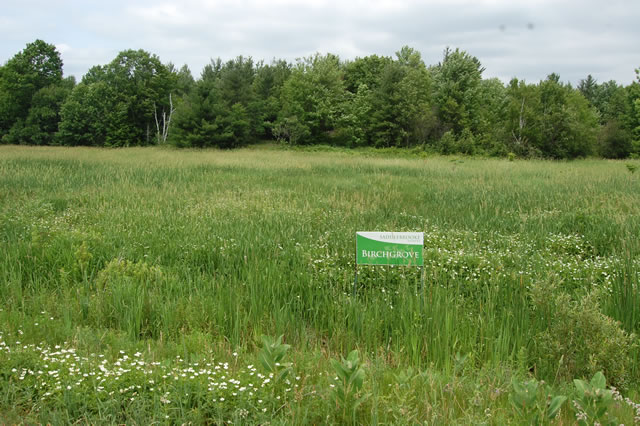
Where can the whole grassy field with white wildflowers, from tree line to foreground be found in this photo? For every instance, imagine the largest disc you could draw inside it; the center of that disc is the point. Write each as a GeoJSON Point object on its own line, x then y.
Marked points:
{"type": "Point", "coordinates": [136, 286]}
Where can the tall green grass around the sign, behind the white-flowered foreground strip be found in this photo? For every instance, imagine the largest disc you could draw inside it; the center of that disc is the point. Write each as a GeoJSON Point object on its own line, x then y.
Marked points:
{"type": "Point", "coordinates": [155, 245]}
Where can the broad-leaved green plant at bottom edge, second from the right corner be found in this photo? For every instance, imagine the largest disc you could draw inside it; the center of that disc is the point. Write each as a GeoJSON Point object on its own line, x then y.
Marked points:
{"type": "Point", "coordinates": [533, 401]}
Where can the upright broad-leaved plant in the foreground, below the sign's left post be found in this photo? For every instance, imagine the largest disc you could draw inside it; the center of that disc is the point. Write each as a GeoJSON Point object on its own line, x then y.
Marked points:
{"type": "Point", "coordinates": [346, 393]}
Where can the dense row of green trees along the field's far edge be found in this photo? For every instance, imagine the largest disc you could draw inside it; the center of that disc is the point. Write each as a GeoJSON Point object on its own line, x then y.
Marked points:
{"type": "Point", "coordinates": [375, 101]}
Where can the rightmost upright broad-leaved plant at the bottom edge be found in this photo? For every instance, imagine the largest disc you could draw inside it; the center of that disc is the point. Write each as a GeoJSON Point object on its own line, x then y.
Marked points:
{"type": "Point", "coordinates": [593, 401]}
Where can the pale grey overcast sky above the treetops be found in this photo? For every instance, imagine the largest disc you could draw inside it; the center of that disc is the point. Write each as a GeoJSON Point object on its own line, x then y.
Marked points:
{"type": "Point", "coordinates": [524, 39]}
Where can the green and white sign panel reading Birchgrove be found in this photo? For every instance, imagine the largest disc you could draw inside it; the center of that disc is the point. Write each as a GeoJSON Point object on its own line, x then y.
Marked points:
{"type": "Point", "coordinates": [389, 248]}
